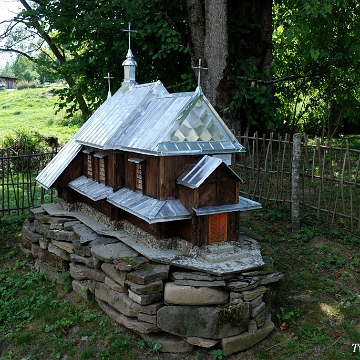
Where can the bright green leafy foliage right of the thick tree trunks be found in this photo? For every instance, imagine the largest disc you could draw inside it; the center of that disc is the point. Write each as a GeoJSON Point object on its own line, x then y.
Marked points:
{"type": "Point", "coordinates": [320, 39]}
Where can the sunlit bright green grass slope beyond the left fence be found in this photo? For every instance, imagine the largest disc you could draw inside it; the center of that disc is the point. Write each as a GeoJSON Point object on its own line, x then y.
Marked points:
{"type": "Point", "coordinates": [34, 109]}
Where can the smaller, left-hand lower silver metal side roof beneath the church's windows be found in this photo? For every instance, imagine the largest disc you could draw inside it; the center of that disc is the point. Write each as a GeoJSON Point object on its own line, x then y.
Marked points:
{"type": "Point", "coordinates": [90, 188]}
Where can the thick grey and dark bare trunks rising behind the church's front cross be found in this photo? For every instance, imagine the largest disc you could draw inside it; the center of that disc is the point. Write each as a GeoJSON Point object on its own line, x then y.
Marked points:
{"type": "Point", "coordinates": [210, 39]}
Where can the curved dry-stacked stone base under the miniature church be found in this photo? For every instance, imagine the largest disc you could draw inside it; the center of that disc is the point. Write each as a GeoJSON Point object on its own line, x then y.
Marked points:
{"type": "Point", "coordinates": [175, 307]}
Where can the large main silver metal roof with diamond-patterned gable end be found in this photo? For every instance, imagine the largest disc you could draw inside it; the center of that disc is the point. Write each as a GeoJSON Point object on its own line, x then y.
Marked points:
{"type": "Point", "coordinates": [147, 119]}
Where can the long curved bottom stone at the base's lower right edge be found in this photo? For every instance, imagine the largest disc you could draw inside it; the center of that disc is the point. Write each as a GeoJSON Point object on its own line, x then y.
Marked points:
{"type": "Point", "coordinates": [246, 340]}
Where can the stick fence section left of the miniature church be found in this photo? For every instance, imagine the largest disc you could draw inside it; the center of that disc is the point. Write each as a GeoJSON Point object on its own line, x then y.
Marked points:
{"type": "Point", "coordinates": [18, 188]}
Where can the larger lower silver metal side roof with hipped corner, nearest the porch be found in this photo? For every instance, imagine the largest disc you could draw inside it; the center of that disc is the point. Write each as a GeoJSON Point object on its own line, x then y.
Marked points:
{"type": "Point", "coordinates": [147, 208]}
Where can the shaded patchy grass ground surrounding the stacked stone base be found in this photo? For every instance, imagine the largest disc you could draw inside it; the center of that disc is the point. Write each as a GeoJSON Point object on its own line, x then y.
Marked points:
{"type": "Point", "coordinates": [316, 309]}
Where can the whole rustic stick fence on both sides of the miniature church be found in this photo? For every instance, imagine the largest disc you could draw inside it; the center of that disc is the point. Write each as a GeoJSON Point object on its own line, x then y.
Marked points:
{"type": "Point", "coordinates": [329, 176]}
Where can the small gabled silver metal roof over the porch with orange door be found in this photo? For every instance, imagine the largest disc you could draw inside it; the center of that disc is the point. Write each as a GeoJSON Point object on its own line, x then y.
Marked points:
{"type": "Point", "coordinates": [198, 172]}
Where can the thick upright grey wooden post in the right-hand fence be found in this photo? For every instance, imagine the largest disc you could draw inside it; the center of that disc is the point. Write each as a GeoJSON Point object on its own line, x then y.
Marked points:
{"type": "Point", "coordinates": [295, 183]}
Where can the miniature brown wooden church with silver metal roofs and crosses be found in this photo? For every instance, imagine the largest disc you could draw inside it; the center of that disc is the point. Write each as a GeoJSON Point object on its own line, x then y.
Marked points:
{"type": "Point", "coordinates": [162, 161]}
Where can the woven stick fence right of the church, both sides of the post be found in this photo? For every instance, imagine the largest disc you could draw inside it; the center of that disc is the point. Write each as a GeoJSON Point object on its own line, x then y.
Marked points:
{"type": "Point", "coordinates": [329, 175]}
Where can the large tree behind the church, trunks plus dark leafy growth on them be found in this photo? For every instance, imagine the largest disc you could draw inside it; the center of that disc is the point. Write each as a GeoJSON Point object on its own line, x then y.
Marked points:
{"type": "Point", "coordinates": [234, 38]}
